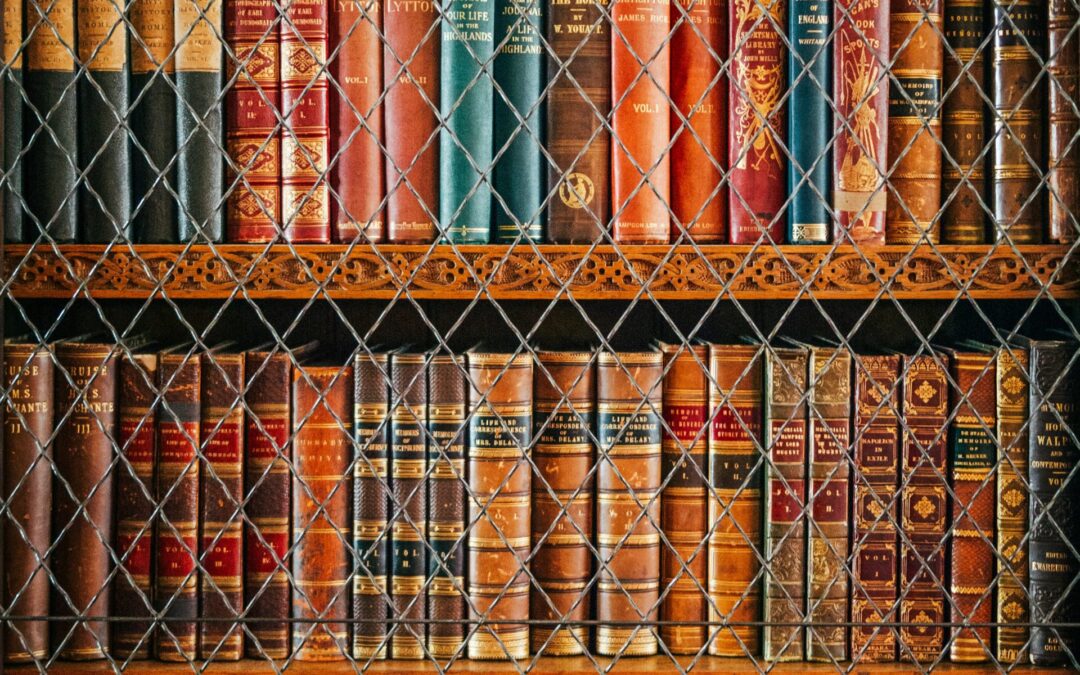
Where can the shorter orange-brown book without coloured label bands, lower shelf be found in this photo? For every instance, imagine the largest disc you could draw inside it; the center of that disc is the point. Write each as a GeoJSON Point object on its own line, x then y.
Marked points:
{"type": "Point", "coordinates": [322, 488]}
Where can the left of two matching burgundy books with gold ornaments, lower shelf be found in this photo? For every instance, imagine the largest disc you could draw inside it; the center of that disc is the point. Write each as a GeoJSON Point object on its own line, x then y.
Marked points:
{"type": "Point", "coordinates": [875, 480]}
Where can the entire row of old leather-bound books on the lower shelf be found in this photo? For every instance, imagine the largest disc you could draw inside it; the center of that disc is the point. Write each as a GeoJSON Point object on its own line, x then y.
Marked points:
{"type": "Point", "coordinates": [723, 499]}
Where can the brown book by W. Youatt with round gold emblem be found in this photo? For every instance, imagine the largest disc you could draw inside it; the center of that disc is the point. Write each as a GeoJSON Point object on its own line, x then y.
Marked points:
{"type": "Point", "coordinates": [580, 210]}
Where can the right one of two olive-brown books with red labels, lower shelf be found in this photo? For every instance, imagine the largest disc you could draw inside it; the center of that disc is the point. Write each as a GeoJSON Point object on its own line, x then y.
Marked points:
{"type": "Point", "coordinates": [830, 472]}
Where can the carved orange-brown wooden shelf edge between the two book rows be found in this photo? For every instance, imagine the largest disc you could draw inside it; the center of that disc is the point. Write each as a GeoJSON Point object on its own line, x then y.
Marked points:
{"type": "Point", "coordinates": [520, 274]}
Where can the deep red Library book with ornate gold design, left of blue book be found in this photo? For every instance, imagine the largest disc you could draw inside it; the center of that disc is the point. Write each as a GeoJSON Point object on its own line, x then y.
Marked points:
{"type": "Point", "coordinates": [758, 128]}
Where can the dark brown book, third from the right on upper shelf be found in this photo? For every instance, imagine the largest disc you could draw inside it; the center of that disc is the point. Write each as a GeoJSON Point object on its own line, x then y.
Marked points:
{"type": "Point", "coordinates": [964, 124]}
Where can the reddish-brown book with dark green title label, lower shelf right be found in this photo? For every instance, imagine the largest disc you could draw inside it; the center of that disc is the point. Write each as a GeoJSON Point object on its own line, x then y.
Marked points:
{"type": "Point", "coordinates": [974, 455]}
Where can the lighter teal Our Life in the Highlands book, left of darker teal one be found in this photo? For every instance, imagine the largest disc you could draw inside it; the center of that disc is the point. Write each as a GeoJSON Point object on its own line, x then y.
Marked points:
{"type": "Point", "coordinates": [467, 96]}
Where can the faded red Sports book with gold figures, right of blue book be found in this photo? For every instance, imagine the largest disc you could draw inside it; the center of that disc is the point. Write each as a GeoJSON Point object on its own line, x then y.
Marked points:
{"type": "Point", "coordinates": [861, 96]}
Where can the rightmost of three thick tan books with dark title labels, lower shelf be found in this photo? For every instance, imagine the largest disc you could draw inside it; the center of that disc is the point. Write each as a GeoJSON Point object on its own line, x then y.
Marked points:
{"type": "Point", "coordinates": [629, 404]}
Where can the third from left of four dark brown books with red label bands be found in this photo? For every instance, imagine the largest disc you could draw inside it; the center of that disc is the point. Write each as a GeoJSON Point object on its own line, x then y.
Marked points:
{"type": "Point", "coordinates": [222, 494]}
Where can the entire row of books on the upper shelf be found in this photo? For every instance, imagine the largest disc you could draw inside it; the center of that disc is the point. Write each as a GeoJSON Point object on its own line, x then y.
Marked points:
{"type": "Point", "coordinates": [485, 120]}
